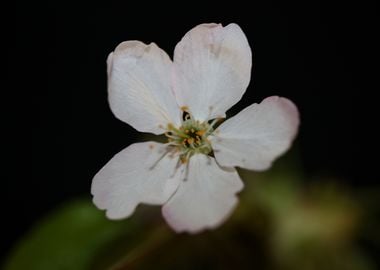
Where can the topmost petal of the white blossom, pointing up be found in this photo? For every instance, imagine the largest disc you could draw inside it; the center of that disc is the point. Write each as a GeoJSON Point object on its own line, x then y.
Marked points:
{"type": "Point", "coordinates": [212, 69]}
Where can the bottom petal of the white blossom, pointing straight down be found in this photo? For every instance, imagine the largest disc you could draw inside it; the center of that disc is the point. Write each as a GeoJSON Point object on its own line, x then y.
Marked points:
{"type": "Point", "coordinates": [205, 199]}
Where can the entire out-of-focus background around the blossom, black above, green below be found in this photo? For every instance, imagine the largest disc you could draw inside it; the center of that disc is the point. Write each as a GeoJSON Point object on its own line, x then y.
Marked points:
{"type": "Point", "coordinates": [317, 208]}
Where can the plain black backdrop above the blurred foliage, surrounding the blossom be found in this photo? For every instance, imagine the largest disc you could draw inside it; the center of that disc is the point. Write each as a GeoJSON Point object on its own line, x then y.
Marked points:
{"type": "Point", "coordinates": [62, 130]}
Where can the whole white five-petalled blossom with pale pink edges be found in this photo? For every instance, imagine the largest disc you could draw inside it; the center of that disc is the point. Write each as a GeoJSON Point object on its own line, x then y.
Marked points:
{"type": "Point", "coordinates": [193, 175]}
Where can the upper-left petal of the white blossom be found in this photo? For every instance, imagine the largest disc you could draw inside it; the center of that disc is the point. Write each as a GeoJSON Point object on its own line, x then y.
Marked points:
{"type": "Point", "coordinates": [139, 87]}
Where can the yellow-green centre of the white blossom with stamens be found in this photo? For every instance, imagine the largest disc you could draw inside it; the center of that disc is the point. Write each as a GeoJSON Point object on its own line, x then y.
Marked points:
{"type": "Point", "coordinates": [191, 137]}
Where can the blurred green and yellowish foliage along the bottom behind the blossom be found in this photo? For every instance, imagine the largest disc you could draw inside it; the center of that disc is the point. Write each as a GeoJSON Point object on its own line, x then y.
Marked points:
{"type": "Point", "coordinates": [280, 223]}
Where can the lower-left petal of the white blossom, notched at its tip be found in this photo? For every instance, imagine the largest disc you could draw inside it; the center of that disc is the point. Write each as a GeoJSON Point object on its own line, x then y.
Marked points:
{"type": "Point", "coordinates": [141, 173]}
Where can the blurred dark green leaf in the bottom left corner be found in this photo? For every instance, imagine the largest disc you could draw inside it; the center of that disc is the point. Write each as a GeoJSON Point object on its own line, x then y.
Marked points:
{"type": "Point", "coordinates": [69, 238]}
